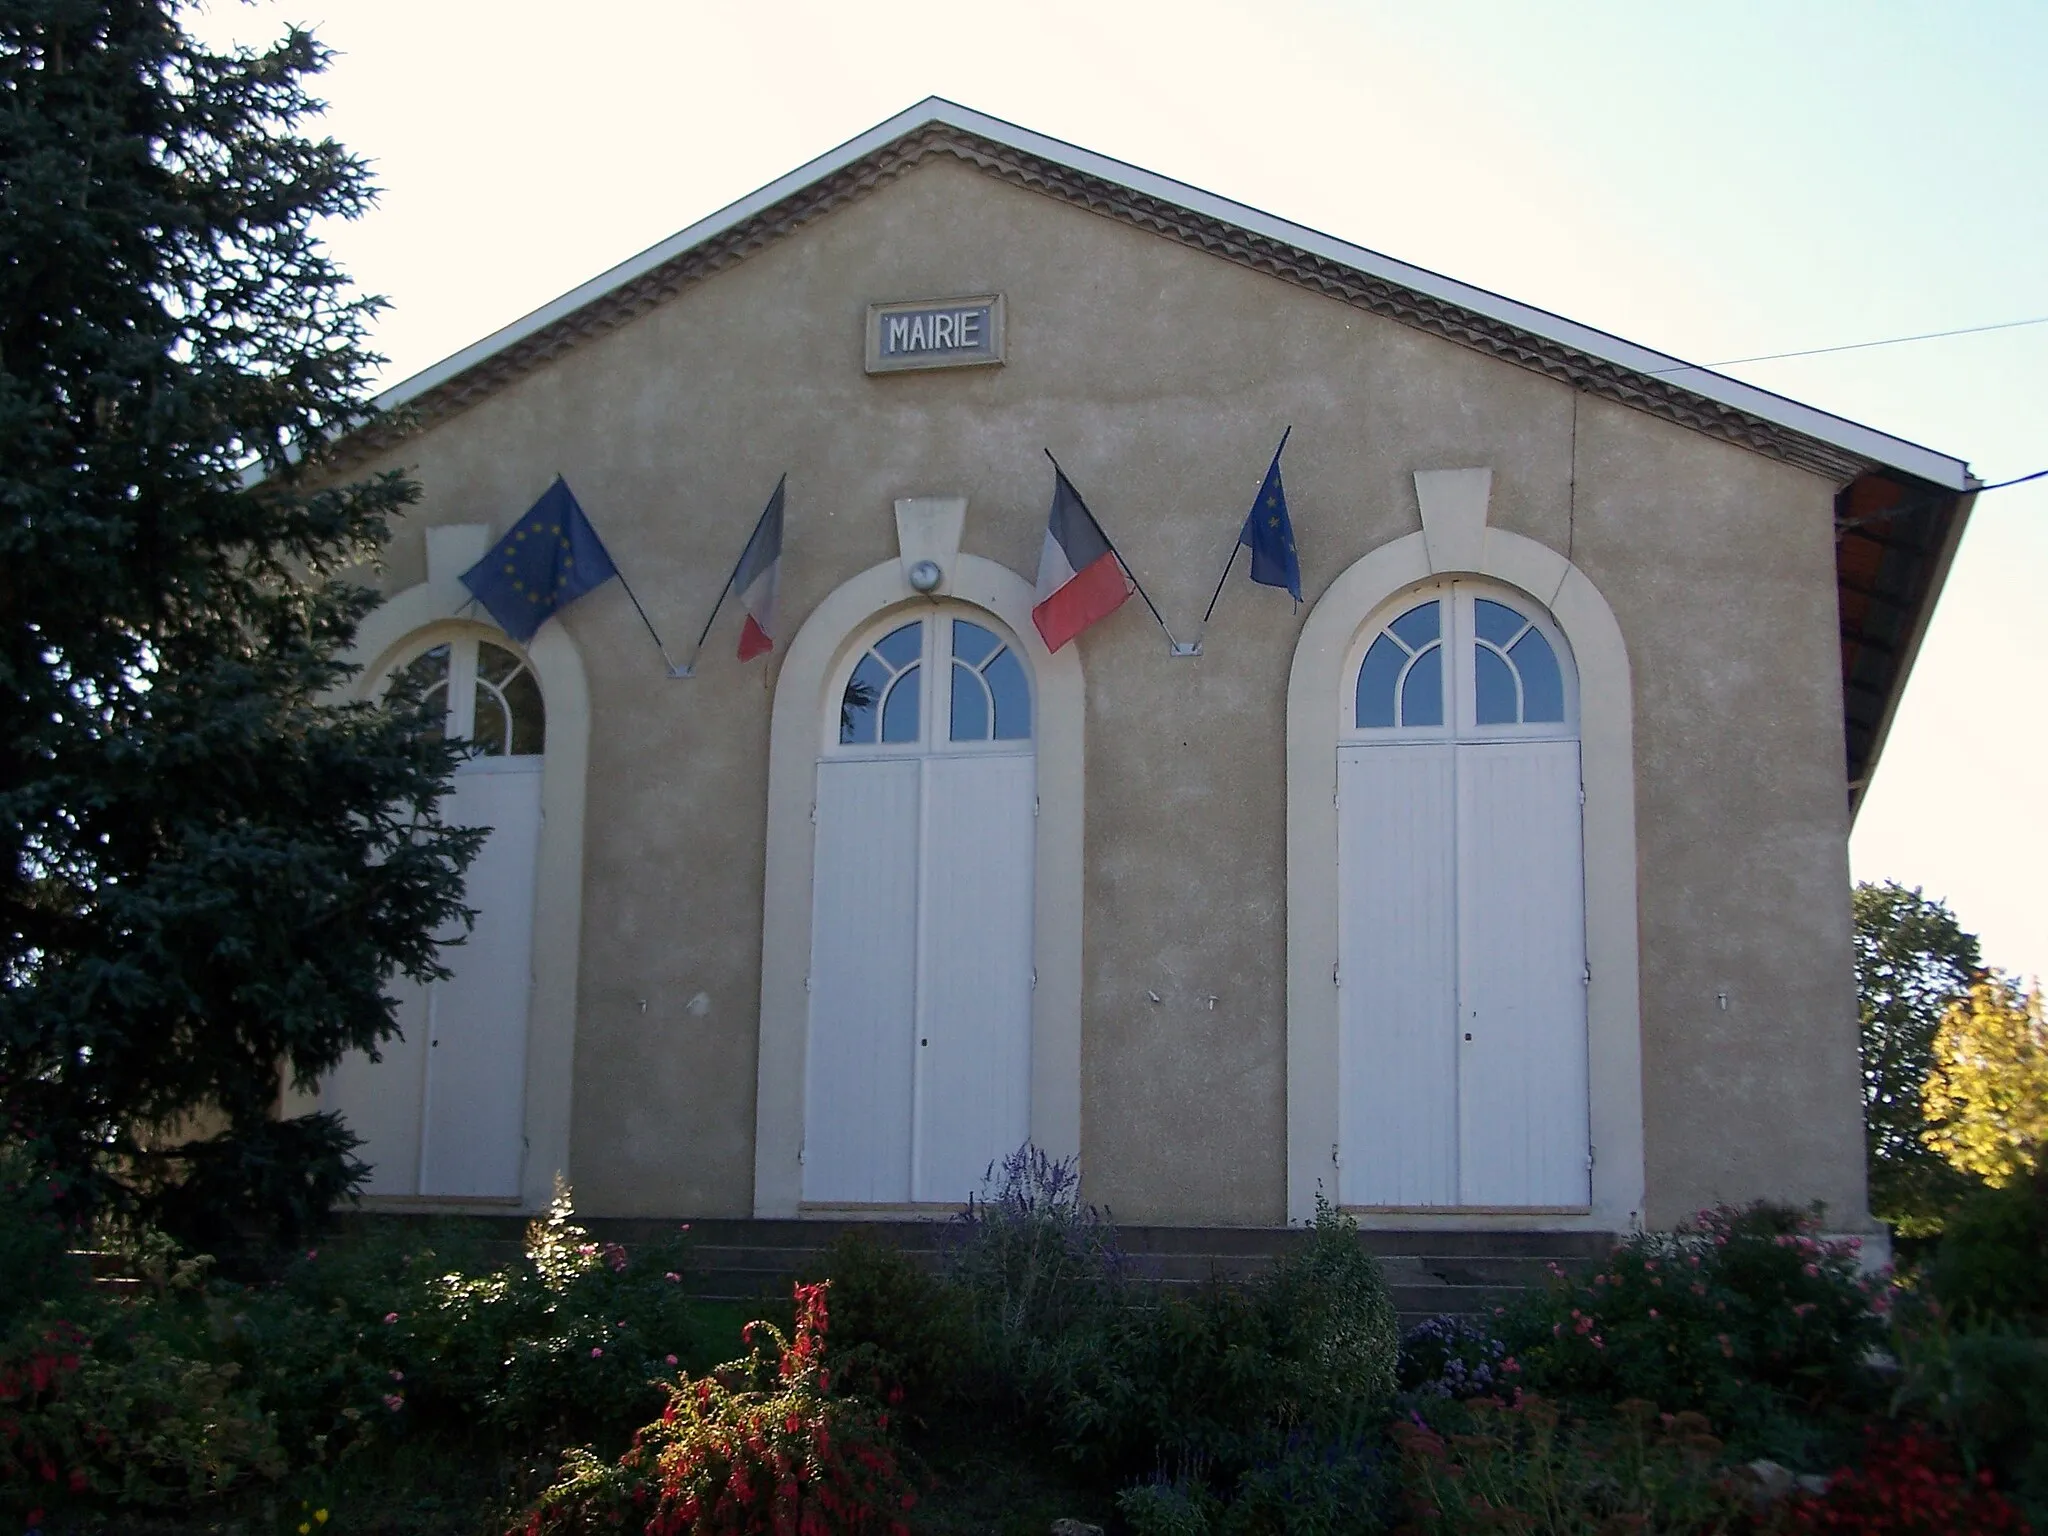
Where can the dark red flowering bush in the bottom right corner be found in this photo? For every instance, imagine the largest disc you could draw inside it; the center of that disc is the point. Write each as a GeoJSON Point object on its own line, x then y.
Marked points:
{"type": "Point", "coordinates": [1908, 1486]}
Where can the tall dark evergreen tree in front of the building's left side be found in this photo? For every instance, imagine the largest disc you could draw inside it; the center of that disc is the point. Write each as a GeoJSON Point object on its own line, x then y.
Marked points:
{"type": "Point", "coordinates": [212, 871]}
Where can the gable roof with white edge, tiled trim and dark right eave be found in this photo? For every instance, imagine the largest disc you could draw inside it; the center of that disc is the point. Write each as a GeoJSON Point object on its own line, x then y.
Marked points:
{"type": "Point", "coordinates": [1902, 505]}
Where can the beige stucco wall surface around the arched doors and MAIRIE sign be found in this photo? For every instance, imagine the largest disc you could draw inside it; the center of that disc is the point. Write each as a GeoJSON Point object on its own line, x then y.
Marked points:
{"type": "Point", "coordinates": [1162, 380]}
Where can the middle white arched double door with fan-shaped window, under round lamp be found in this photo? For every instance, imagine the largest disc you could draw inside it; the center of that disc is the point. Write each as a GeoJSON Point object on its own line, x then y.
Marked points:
{"type": "Point", "coordinates": [919, 1056]}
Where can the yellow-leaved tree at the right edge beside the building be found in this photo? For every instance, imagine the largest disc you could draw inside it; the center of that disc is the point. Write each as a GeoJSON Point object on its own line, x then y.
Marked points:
{"type": "Point", "coordinates": [1988, 1095]}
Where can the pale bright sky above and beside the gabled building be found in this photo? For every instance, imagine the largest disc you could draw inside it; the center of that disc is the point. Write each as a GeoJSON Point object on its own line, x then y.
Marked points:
{"type": "Point", "coordinates": [1713, 181]}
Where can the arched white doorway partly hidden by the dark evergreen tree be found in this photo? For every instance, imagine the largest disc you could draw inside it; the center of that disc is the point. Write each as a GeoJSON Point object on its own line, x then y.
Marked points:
{"type": "Point", "coordinates": [443, 1111]}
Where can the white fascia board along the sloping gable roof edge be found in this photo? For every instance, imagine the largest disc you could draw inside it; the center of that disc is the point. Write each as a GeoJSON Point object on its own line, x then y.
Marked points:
{"type": "Point", "coordinates": [1836, 431]}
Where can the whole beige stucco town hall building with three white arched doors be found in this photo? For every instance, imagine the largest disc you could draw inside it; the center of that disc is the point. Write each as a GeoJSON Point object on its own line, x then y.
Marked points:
{"type": "Point", "coordinates": [1224, 927]}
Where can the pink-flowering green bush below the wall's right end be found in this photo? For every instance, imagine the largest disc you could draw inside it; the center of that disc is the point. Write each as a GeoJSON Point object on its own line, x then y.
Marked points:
{"type": "Point", "coordinates": [1742, 1314]}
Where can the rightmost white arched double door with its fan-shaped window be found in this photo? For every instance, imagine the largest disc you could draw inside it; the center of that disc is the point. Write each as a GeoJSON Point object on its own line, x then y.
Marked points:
{"type": "Point", "coordinates": [1461, 927]}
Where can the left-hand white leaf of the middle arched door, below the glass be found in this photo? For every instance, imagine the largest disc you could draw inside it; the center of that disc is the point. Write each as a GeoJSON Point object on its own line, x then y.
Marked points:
{"type": "Point", "coordinates": [863, 984]}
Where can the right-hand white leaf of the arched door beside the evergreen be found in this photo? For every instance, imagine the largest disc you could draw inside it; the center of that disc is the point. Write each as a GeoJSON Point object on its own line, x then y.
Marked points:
{"type": "Point", "coordinates": [476, 1050]}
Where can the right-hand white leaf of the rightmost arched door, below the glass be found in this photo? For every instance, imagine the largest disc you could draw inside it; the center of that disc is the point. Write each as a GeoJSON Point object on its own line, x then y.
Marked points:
{"type": "Point", "coordinates": [1523, 976]}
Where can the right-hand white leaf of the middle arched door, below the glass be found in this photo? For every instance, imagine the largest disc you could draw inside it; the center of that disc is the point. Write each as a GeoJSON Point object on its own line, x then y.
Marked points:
{"type": "Point", "coordinates": [976, 957]}
